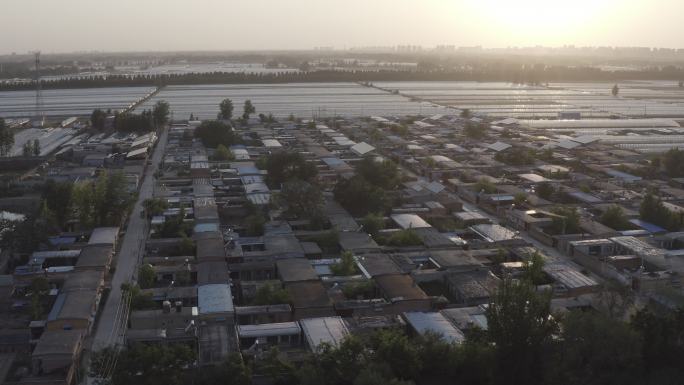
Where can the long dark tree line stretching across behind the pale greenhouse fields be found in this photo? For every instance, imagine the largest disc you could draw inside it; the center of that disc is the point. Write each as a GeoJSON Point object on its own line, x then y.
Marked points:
{"type": "Point", "coordinates": [524, 74]}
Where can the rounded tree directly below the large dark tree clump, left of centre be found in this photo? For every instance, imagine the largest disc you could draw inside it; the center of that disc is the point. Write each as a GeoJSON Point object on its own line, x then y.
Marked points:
{"type": "Point", "coordinates": [301, 199]}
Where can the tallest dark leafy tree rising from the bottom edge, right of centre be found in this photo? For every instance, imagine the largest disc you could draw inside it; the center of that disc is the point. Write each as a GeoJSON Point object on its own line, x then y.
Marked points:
{"type": "Point", "coordinates": [519, 326]}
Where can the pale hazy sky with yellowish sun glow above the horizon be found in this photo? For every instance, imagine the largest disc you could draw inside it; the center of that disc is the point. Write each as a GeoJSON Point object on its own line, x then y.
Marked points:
{"type": "Point", "coordinates": [164, 25]}
